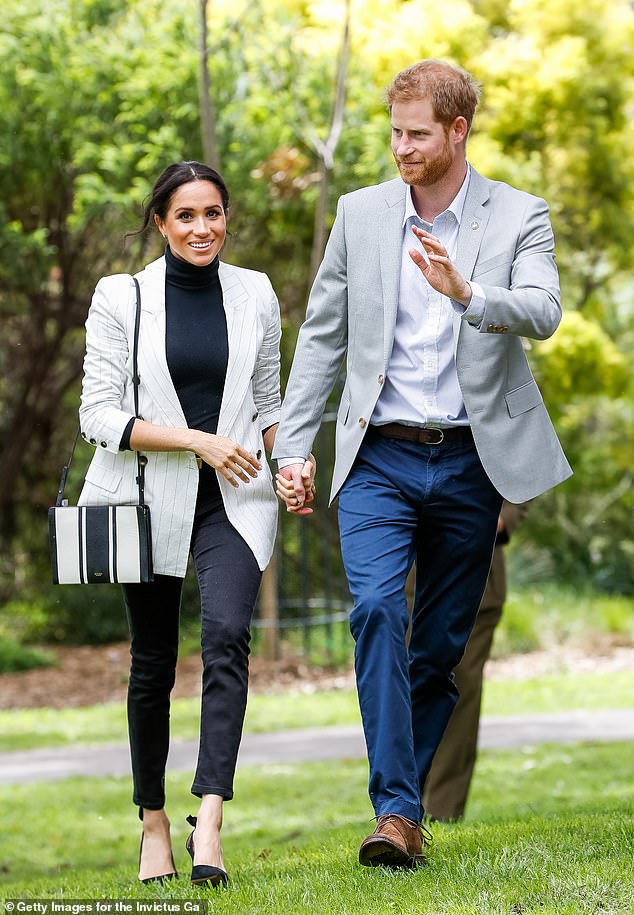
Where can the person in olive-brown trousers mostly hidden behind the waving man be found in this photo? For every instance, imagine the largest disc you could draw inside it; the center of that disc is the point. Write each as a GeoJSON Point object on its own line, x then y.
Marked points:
{"type": "Point", "coordinates": [447, 785]}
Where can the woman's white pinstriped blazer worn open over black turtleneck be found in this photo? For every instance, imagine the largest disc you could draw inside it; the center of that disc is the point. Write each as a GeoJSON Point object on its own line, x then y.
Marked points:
{"type": "Point", "coordinates": [250, 403]}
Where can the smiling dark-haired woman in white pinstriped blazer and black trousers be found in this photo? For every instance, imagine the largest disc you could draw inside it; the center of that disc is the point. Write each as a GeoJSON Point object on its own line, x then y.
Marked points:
{"type": "Point", "coordinates": [209, 399]}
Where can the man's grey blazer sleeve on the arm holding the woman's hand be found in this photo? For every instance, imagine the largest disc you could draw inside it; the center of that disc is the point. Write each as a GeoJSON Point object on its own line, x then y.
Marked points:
{"type": "Point", "coordinates": [321, 347]}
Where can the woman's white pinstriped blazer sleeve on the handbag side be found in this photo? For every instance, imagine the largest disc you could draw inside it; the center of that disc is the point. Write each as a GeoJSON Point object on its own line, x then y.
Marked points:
{"type": "Point", "coordinates": [106, 374]}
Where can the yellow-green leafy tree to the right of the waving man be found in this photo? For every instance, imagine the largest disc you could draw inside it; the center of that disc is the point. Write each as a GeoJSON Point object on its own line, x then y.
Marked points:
{"type": "Point", "coordinates": [556, 119]}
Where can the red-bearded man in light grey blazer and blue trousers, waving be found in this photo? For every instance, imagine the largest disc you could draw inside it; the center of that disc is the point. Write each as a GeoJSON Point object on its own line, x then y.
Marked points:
{"type": "Point", "coordinates": [427, 283]}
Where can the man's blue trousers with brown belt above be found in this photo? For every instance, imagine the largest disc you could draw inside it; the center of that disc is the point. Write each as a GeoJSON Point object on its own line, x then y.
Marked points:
{"type": "Point", "coordinates": [434, 504]}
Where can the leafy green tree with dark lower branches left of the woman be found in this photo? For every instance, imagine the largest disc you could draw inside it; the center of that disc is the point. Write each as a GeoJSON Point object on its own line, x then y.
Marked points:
{"type": "Point", "coordinates": [86, 116]}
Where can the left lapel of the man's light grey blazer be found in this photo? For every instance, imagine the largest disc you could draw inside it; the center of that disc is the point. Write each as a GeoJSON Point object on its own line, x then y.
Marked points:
{"type": "Point", "coordinates": [390, 254]}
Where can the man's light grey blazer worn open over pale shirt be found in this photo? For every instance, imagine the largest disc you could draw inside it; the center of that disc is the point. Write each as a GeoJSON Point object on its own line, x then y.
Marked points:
{"type": "Point", "coordinates": [505, 244]}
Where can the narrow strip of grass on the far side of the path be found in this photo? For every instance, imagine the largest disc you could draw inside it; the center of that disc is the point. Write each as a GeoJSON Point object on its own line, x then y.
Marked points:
{"type": "Point", "coordinates": [22, 729]}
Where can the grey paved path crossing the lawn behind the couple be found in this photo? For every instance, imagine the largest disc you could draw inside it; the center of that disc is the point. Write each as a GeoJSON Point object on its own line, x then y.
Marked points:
{"type": "Point", "coordinates": [310, 745]}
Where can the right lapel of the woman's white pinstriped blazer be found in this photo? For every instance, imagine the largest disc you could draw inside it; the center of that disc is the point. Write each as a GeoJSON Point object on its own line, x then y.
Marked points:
{"type": "Point", "coordinates": [240, 311]}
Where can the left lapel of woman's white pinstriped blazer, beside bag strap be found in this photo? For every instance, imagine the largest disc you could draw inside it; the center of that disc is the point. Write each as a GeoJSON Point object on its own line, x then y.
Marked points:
{"type": "Point", "coordinates": [153, 368]}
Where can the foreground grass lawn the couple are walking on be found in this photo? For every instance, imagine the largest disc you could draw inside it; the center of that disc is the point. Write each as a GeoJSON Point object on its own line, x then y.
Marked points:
{"type": "Point", "coordinates": [548, 830]}
